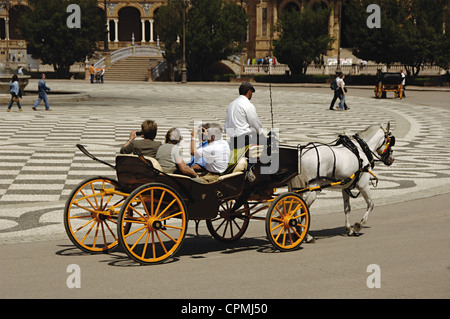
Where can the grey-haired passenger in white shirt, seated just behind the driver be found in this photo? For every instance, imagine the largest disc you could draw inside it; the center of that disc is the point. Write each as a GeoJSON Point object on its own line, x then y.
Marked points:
{"type": "Point", "coordinates": [216, 153]}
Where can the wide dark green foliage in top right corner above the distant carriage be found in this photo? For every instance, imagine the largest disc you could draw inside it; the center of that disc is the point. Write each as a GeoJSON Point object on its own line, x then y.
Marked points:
{"type": "Point", "coordinates": [411, 33]}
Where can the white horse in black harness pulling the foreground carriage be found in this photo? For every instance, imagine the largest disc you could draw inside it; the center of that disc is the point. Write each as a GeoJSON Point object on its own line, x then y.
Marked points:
{"type": "Point", "coordinates": [322, 164]}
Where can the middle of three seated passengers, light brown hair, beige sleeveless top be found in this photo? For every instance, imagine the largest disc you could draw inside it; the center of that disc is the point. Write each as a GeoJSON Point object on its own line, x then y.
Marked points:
{"type": "Point", "coordinates": [169, 155]}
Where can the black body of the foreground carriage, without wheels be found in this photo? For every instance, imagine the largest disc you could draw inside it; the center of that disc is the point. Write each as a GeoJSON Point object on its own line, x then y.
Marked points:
{"type": "Point", "coordinates": [203, 199]}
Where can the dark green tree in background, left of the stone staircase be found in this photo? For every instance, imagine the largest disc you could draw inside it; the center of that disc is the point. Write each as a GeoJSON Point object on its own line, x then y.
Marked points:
{"type": "Point", "coordinates": [50, 39]}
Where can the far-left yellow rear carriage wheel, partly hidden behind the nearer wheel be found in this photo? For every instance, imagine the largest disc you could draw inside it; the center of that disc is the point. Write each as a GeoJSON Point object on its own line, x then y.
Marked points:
{"type": "Point", "coordinates": [91, 212]}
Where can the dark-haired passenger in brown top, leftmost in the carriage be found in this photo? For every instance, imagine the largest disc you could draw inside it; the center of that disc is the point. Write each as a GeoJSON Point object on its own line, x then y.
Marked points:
{"type": "Point", "coordinates": [147, 145]}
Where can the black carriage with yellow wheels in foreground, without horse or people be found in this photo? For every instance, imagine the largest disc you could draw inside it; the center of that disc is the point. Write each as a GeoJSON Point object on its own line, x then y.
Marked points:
{"type": "Point", "coordinates": [147, 211]}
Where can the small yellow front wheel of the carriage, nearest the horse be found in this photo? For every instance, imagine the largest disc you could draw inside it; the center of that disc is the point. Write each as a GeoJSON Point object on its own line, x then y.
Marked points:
{"type": "Point", "coordinates": [287, 221]}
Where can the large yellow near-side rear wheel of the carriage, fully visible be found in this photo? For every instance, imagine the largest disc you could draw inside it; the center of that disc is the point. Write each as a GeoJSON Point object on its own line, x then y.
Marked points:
{"type": "Point", "coordinates": [152, 223]}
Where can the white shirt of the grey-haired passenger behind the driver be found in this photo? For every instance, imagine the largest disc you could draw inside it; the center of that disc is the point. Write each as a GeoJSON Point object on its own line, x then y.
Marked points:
{"type": "Point", "coordinates": [217, 155]}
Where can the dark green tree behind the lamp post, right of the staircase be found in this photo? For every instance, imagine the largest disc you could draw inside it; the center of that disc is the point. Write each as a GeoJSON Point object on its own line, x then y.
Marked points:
{"type": "Point", "coordinates": [214, 31]}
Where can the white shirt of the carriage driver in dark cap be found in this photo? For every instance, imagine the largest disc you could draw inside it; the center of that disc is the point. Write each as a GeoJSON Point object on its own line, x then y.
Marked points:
{"type": "Point", "coordinates": [241, 118]}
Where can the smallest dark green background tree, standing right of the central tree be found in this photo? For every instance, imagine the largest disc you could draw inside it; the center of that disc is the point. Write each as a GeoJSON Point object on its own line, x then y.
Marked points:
{"type": "Point", "coordinates": [304, 37]}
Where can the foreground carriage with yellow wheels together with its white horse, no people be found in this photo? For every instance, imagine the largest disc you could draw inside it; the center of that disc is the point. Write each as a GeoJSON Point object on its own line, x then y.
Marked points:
{"type": "Point", "coordinates": [147, 211]}
